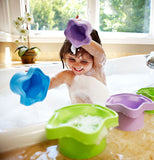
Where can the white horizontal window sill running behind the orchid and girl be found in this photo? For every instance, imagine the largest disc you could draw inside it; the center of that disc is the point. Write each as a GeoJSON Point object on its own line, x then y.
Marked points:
{"type": "Point", "coordinates": [106, 38]}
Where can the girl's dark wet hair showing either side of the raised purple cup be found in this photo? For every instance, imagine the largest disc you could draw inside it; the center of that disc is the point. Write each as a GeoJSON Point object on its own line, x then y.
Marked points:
{"type": "Point", "coordinates": [66, 48]}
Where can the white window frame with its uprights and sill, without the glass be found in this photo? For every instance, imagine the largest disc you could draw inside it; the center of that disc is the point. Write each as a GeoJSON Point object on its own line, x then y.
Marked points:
{"type": "Point", "coordinates": [14, 8]}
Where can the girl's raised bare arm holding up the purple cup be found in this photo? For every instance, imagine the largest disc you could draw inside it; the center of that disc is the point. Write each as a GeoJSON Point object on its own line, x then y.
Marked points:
{"type": "Point", "coordinates": [97, 51]}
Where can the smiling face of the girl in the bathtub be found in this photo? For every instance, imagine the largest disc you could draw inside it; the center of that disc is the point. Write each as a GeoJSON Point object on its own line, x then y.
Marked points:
{"type": "Point", "coordinates": [80, 63]}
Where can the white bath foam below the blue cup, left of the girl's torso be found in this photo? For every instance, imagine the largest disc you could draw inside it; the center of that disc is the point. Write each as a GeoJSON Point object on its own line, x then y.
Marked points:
{"type": "Point", "coordinates": [14, 115]}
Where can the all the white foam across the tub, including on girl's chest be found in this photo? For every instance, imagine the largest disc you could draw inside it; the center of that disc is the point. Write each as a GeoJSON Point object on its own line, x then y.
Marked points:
{"type": "Point", "coordinates": [14, 115]}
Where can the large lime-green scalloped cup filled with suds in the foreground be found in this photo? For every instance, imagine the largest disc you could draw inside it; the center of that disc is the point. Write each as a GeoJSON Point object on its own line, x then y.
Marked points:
{"type": "Point", "coordinates": [81, 129]}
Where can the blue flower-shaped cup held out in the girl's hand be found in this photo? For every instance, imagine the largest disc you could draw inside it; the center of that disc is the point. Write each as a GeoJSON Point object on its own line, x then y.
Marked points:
{"type": "Point", "coordinates": [31, 86]}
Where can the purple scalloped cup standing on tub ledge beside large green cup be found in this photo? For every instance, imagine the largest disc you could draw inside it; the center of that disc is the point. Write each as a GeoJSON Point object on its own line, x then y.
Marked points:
{"type": "Point", "coordinates": [130, 108]}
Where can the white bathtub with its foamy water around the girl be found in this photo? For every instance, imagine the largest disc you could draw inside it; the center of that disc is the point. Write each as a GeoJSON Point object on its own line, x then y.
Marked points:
{"type": "Point", "coordinates": [22, 126]}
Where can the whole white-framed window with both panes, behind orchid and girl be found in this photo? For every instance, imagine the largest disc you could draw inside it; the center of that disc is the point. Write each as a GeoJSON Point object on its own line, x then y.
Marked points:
{"type": "Point", "coordinates": [118, 21]}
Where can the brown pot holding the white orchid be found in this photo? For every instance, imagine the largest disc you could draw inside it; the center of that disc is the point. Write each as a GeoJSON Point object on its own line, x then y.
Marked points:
{"type": "Point", "coordinates": [29, 57]}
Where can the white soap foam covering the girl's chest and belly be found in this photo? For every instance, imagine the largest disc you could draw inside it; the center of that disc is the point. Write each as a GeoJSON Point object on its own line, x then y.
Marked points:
{"type": "Point", "coordinates": [89, 90]}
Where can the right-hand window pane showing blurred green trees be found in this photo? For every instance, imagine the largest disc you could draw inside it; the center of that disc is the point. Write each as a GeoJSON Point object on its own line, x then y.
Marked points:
{"type": "Point", "coordinates": [131, 16]}
